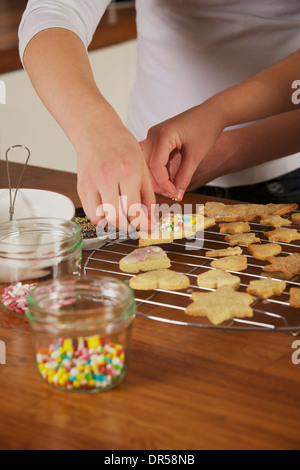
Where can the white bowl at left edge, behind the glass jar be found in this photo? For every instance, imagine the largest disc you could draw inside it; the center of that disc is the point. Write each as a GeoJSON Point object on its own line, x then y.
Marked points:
{"type": "Point", "coordinates": [36, 203]}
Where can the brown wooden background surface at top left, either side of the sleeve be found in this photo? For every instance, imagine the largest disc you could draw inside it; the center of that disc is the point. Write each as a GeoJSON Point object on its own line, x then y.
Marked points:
{"type": "Point", "coordinates": [117, 25]}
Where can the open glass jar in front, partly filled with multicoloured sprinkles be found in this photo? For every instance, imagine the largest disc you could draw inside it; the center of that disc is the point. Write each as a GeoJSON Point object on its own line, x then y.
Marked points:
{"type": "Point", "coordinates": [81, 329]}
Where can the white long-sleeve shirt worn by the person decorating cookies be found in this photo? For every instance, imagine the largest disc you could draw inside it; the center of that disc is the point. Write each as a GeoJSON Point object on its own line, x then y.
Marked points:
{"type": "Point", "coordinates": [188, 50]}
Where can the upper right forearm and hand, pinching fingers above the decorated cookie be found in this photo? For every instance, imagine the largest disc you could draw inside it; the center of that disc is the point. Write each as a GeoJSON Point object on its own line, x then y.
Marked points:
{"type": "Point", "coordinates": [195, 132]}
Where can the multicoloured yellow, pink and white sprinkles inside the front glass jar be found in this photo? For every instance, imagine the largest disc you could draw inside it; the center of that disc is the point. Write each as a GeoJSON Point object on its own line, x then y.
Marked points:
{"type": "Point", "coordinates": [81, 364]}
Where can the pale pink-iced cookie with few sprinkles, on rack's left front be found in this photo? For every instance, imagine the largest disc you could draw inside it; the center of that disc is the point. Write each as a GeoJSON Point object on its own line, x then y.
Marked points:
{"type": "Point", "coordinates": [149, 258]}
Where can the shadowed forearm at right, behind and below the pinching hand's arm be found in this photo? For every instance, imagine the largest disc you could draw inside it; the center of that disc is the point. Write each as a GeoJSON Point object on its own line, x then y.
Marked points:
{"type": "Point", "coordinates": [237, 149]}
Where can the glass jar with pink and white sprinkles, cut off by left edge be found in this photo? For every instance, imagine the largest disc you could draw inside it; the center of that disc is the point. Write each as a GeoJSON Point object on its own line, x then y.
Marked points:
{"type": "Point", "coordinates": [32, 251]}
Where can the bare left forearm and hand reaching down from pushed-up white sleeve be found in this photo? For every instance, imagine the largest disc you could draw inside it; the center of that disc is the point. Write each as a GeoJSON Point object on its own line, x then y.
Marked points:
{"type": "Point", "coordinates": [110, 162]}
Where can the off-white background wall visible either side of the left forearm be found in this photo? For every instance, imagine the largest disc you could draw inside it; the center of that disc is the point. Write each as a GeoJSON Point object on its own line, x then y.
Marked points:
{"type": "Point", "coordinates": [24, 120]}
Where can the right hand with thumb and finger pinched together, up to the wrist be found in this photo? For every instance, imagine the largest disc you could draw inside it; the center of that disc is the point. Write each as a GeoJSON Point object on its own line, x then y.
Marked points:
{"type": "Point", "coordinates": [174, 148]}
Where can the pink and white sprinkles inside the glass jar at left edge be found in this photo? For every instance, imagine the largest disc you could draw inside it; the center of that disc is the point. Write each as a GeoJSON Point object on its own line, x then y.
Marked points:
{"type": "Point", "coordinates": [14, 298]}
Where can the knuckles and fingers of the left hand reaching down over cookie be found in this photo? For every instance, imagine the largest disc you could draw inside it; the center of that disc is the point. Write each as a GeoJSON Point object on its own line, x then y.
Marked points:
{"type": "Point", "coordinates": [121, 195]}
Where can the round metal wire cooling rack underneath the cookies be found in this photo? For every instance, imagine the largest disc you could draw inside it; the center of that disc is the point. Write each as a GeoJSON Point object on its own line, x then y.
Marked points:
{"type": "Point", "coordinates": [274, 314]}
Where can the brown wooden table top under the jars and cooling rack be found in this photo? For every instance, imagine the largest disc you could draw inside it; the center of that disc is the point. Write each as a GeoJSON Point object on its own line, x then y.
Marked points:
{"type": "Point", "coordinates": [186, 388]}
